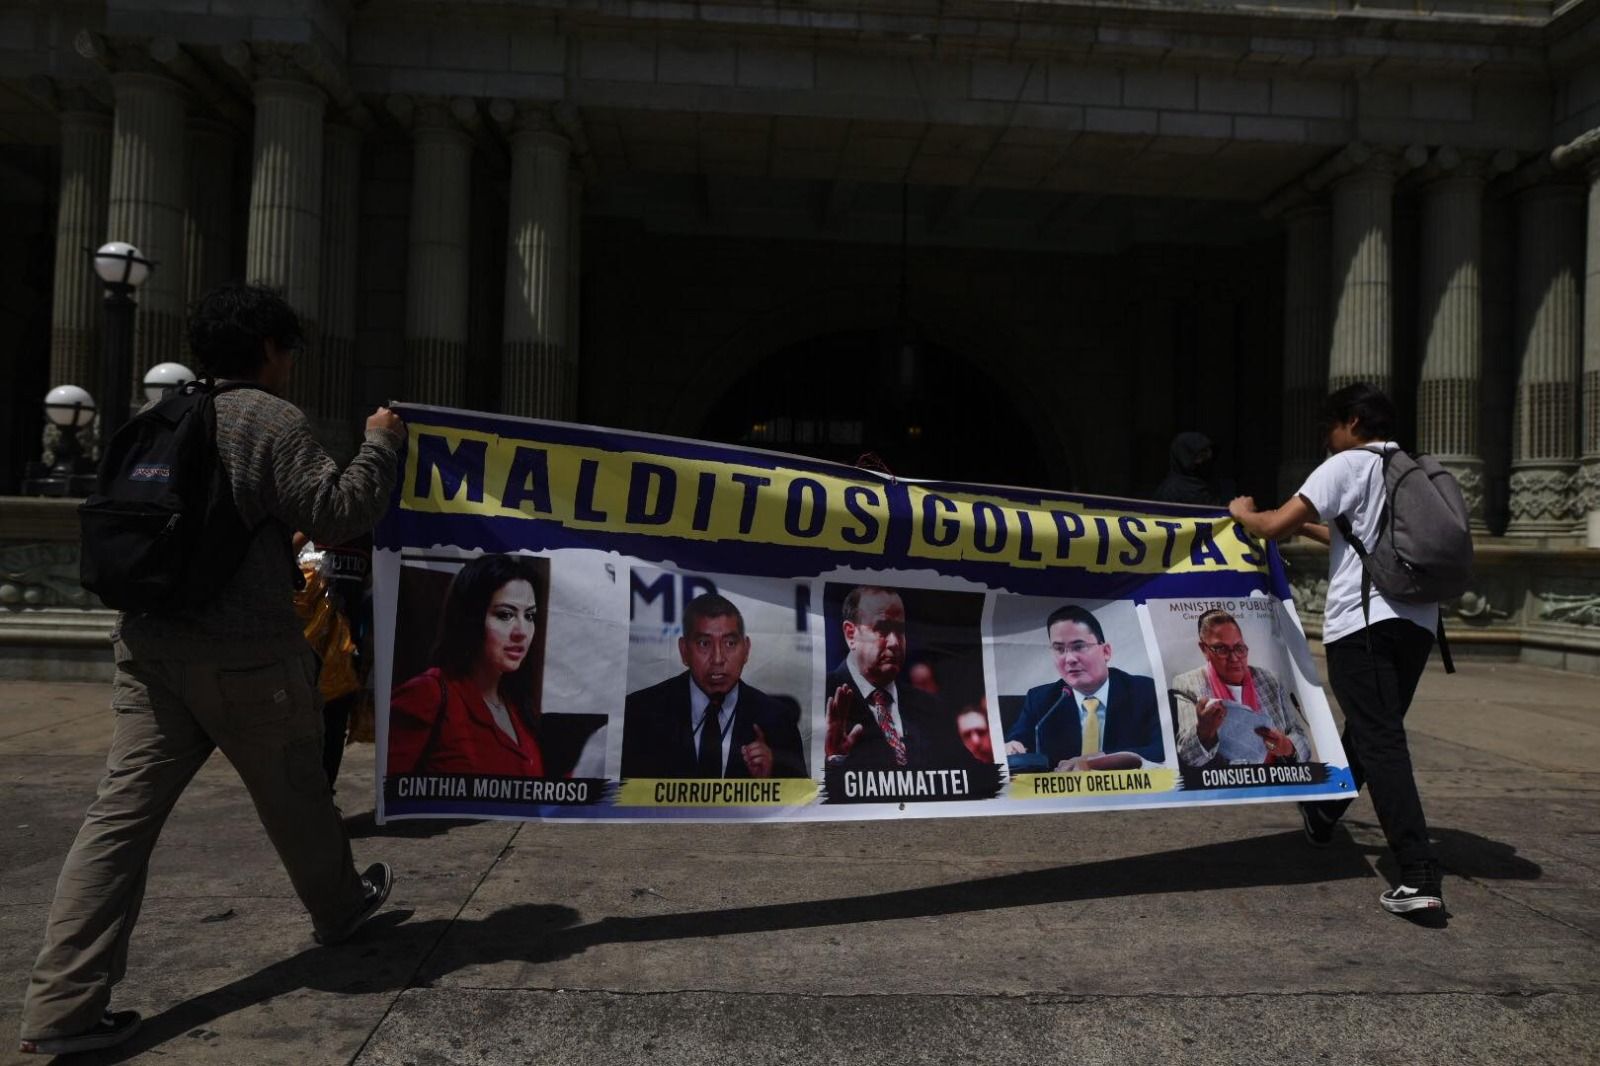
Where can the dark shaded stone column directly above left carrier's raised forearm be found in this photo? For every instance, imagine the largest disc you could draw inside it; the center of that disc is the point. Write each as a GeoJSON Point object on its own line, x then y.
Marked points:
{"type": "Point", "coordinates": [335, 369]}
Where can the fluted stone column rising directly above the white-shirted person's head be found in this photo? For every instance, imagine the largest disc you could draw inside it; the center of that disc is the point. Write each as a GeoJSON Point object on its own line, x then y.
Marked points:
{"type": "Point", "coordinates": [1362, 345]}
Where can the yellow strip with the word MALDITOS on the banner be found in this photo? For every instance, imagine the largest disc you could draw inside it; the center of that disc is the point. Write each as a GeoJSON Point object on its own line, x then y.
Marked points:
{"type": "Point", "coordinates": [470, 473]}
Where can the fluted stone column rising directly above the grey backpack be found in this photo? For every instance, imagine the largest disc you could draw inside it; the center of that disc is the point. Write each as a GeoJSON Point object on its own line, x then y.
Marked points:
{"type": "Point", "coordinates": [1452, 329]}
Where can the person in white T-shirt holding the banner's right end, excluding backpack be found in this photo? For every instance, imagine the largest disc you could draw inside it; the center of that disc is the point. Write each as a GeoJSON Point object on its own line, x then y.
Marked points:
{"type": "Point", "coordinates": [1375, 659]}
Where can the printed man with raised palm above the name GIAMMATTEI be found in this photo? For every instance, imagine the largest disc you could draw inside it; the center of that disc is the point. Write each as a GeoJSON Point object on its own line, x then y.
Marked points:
{"type": "Point", "coordinates": [876, 721]}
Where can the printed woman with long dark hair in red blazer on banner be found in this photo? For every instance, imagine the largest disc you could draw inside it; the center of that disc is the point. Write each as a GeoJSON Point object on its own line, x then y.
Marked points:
{"type": "Point", "coordinates": [476, 710]}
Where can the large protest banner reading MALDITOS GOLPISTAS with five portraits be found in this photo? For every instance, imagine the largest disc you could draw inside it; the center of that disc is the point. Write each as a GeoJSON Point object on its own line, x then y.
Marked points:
{"type": "Point", "coordinates": [577, 623]}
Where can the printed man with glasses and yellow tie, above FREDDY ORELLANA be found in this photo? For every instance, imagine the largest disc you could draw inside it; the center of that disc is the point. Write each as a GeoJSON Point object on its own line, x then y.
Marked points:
{"type": "Point", "coordinates": [1095, 716]}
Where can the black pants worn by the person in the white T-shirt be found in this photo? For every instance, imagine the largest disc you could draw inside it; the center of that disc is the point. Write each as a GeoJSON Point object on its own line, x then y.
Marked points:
{"type": "Point", "coordinates": [1375, 691]}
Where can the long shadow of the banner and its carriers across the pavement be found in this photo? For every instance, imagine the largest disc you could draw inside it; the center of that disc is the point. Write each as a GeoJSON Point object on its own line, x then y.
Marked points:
{"type": "Point", "coordinates": [393, 953]}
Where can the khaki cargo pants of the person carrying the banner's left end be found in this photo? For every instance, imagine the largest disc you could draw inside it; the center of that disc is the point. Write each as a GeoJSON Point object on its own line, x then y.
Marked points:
{"type": "Point", "coordinates": [170, 716]}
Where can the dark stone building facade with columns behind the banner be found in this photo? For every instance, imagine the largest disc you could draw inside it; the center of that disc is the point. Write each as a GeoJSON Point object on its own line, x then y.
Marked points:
{"type": "Point", "coordinates": [1014, 242]}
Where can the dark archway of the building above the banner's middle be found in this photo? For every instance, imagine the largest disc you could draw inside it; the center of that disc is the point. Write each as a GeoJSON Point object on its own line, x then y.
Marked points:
{"type": "Point", "coordinates": [926, 411]}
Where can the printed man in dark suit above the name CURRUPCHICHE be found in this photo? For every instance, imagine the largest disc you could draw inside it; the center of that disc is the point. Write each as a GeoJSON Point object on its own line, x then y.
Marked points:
{"type": "Point", "coordinates": [706, 723]}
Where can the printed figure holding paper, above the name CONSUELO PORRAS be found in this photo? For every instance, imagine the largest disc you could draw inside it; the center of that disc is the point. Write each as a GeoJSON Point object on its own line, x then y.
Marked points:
{"type": "Point", "coordinates": [1231, 713]}
